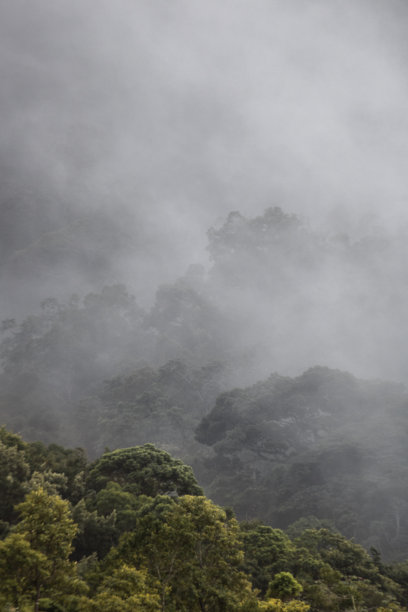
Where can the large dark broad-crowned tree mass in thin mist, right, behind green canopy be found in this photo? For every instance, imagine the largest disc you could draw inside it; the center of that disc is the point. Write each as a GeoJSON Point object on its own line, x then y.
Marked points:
{"type": "Point", "coordinates": [288, 448]}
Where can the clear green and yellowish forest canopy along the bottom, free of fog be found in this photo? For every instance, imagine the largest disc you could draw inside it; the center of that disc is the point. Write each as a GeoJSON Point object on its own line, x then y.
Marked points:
{"type": "Point", "coordinates": [133, 531]}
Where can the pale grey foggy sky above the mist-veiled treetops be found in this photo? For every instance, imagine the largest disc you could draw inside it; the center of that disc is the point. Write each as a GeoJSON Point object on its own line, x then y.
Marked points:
{"type": "Point", "coordinates": [169, 114]}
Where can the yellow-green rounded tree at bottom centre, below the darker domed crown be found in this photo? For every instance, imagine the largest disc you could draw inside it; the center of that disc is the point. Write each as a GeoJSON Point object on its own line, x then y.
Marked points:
{"type": "Point", "coordinates": [194, 552]}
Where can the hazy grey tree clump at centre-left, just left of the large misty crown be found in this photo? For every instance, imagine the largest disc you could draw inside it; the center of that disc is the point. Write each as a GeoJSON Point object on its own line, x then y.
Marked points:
{"type": "Point", "coordinates": [162, 406]}
